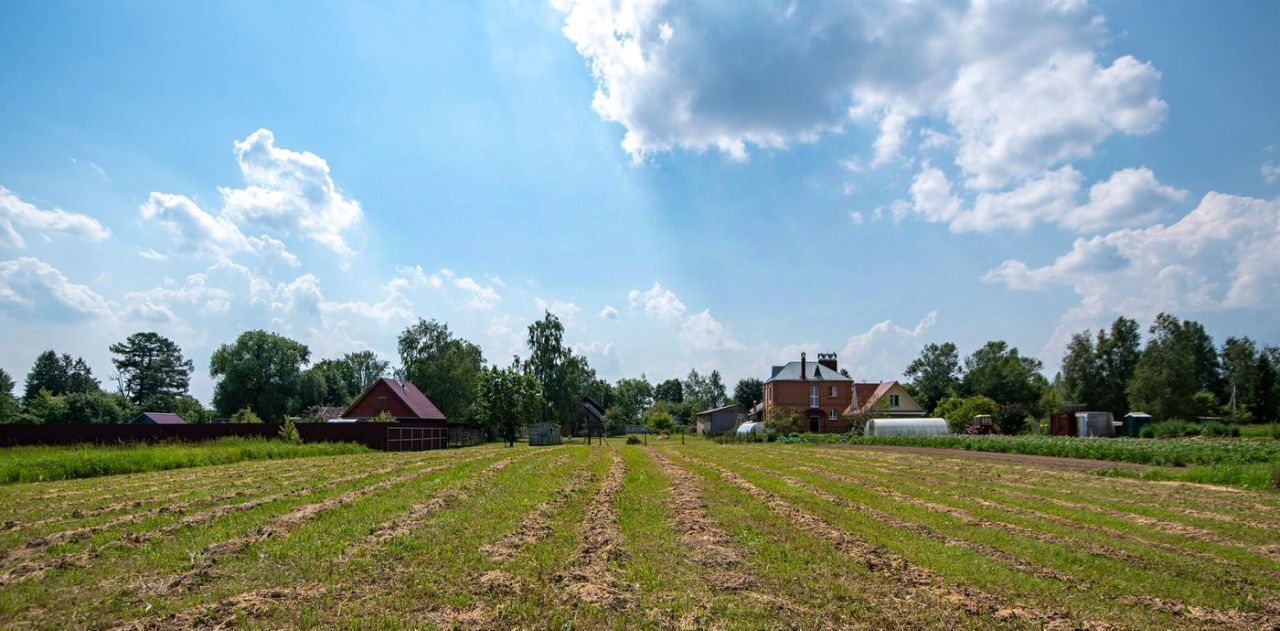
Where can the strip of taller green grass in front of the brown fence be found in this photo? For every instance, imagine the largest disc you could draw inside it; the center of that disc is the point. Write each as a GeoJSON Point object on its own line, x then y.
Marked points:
{"type": "Point", "coordinates": [44, 464]}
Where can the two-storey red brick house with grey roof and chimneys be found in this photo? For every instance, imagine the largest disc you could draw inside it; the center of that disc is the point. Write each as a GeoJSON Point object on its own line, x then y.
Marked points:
{"type": "Point", "coordinates": [816, 392]}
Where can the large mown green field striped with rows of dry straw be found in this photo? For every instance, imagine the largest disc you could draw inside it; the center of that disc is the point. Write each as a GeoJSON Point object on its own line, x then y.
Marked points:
{"type": "Point", "coordinates": [661, 537]}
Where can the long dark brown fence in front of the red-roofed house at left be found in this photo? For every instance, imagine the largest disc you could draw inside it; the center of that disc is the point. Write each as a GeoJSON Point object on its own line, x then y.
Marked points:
{"type": "Point", "coordinates": [376, 436]}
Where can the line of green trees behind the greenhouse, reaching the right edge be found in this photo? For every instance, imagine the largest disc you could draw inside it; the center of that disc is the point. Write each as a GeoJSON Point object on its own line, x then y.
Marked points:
{"type": "Point", "coordinates": [1181, 374]}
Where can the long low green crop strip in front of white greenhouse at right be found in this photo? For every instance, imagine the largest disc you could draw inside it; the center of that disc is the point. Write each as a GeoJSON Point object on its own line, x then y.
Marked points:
{"type": "Point", "coordinates": [1172, 452]}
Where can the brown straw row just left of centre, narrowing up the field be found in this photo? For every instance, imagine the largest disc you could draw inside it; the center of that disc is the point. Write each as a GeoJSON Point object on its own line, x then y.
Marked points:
{"type": "Point", "coordinates": [589, 577]}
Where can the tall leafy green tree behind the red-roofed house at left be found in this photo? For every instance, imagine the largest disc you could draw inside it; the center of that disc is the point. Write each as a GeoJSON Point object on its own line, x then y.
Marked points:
{"type": "Point", "coordinates": [444, 367]}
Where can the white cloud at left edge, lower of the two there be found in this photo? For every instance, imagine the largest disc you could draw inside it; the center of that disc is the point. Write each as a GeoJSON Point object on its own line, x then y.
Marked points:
{"type": "Point", "coordinates": [33, 287]}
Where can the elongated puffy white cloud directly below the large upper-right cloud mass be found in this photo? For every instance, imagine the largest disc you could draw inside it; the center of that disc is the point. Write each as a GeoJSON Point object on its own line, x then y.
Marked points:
{"type": "Point", "coordinates": [1130, 198]}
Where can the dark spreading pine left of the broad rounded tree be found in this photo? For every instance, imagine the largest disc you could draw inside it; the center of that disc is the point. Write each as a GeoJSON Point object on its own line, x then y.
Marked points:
{"type": "Point", "coordinates": [152, 365]}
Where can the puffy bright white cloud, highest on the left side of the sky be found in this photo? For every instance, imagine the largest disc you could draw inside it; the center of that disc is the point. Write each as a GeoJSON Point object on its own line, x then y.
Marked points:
{"type": "Point", "coordinates": [290, 193]}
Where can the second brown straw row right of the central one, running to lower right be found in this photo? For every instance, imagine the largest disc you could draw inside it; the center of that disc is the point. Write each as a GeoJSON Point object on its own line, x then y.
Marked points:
{"type": "Point", "coordinates": [920, 583]}
